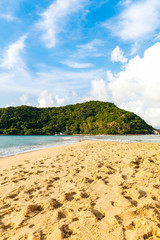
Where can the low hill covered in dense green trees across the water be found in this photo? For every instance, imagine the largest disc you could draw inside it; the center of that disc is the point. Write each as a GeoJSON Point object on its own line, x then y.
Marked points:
{"type": "Point", "coordinates": [92, 117]}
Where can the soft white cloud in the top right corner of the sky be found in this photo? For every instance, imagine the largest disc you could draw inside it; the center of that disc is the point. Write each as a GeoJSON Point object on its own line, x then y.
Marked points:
{"type": "Point", "coordinates": [137, 20]}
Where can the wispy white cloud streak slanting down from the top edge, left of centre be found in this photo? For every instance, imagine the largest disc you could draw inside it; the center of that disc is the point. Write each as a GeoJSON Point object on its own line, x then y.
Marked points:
{"type": "Point", "coordinates": [55, 18]}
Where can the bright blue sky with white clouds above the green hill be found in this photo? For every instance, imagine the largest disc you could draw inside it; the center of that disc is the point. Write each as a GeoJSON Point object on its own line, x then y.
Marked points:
{"type": "Point", "coordinates": [60, 52]}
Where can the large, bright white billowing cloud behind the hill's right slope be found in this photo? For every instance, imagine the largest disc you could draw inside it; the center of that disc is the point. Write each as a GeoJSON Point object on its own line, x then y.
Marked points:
{"type": "Point", "coordinates": [137, 87]}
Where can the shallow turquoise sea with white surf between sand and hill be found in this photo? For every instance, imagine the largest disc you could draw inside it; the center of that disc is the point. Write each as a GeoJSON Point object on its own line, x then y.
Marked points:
{"type": "Point", "coordinates": [12, 145]}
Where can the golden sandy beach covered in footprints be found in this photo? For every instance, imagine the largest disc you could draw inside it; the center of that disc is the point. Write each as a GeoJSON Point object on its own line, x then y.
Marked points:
{"type": "Point", "coordinates": [86, 191]}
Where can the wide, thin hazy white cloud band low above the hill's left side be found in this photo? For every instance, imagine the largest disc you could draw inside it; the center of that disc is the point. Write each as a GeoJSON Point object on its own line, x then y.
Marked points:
{"type": "Point", "coordinates": [18, 80]}
